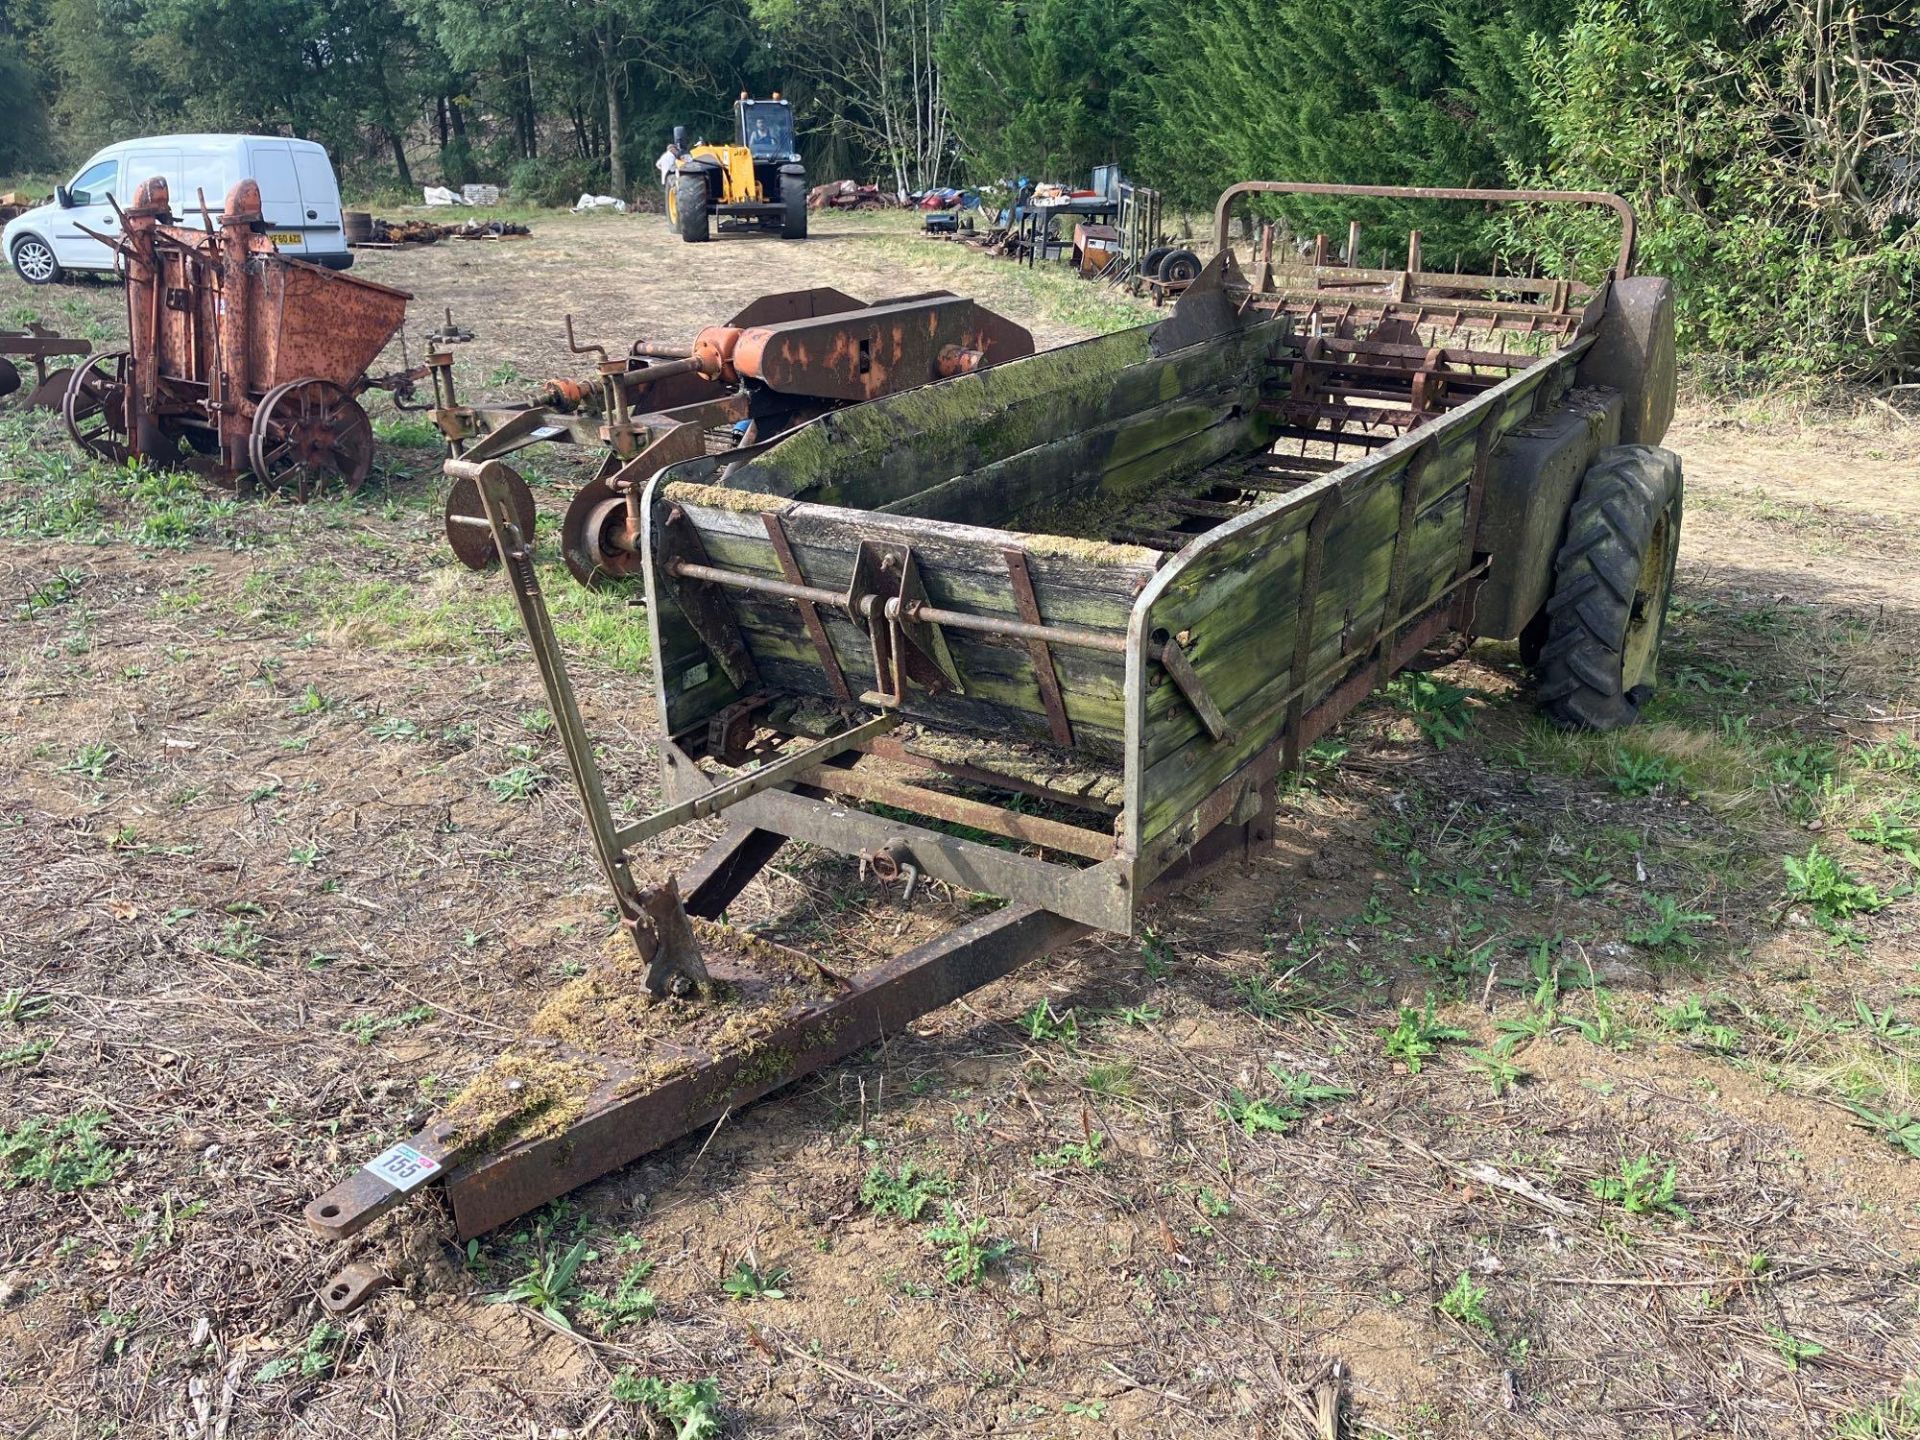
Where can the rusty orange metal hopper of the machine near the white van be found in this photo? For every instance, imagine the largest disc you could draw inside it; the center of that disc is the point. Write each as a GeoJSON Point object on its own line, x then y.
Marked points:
{"type": "Point", "coordinates": [318, 324]}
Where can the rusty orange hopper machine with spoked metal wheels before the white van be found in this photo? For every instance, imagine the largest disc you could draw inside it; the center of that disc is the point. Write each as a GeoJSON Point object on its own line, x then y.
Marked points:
{"type": "Point", "coordinates": [239, 360]}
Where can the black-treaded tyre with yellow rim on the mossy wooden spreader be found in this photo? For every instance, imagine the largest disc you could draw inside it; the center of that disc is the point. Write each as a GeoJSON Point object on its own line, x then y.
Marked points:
{"type": "Point", "coordinates": [1612, 583]}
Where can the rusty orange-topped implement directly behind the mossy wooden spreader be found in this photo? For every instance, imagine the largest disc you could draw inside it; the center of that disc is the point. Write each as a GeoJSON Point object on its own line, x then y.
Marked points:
{"type": "Point", "coordinates": [782, 362]}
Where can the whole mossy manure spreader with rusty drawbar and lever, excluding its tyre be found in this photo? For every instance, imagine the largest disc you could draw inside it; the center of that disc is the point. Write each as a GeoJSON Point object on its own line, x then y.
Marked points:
{"type": "Point", "coordinates": [1053, 631]}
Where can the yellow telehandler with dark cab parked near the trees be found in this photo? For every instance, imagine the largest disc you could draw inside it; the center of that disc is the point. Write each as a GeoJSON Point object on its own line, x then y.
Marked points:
{"type": "Point", "coordinates": [757, 180]}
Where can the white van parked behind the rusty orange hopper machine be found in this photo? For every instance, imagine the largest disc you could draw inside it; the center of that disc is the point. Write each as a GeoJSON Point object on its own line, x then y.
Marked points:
{"type": "Point", "coordinates": [300, 201]}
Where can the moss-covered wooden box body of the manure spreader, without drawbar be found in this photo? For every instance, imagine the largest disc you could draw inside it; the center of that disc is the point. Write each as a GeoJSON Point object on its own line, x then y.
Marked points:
{"type": "Point", "coordinates": [1178, 554]}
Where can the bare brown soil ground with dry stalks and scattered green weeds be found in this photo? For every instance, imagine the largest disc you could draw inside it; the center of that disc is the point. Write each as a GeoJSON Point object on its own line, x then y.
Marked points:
{"type": "Point", "coordinates": [1525, 1078]}
